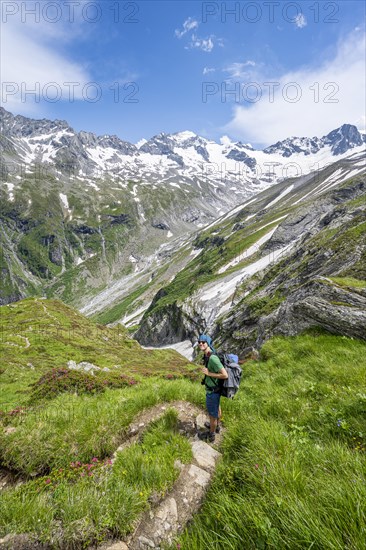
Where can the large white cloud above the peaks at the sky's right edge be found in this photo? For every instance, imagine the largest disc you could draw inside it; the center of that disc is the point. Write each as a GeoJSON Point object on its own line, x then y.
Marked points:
{"type": "Point", "coordinates": [306, 102]}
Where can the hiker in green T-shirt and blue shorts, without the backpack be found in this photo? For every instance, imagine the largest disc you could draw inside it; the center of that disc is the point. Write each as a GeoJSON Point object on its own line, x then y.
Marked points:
{"type": "Point", "coordinates": [213, 371]}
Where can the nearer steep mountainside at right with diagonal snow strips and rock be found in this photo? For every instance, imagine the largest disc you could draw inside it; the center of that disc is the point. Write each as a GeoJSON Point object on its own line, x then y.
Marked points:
{"type": "Point", "coordinates": [289, 259]}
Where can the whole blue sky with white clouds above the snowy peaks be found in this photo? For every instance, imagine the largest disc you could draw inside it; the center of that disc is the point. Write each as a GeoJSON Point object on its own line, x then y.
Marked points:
{"type": "Point", "coordinates": [255, 71]}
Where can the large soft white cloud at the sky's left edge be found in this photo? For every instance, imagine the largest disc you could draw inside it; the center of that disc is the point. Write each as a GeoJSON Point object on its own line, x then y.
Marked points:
{"type": "Point", "coordinates": [32, 69]}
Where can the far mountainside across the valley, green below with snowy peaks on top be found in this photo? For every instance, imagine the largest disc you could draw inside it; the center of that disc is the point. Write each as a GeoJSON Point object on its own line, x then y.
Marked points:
{"type": "Point", "coordinates": [91, 219]}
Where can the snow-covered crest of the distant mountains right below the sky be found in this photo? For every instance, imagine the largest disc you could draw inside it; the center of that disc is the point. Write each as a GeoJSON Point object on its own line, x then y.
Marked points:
{"type": "Point", "coordinates": [42, 141]}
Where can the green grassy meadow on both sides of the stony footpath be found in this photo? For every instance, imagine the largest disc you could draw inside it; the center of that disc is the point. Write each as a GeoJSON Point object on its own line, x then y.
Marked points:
{"type": "Point", "coordinates": [293, 468]}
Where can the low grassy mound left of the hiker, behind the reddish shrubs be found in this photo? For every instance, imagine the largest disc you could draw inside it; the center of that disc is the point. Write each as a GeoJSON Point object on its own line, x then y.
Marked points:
{"type": "Point", "coordinates": [39, 335]}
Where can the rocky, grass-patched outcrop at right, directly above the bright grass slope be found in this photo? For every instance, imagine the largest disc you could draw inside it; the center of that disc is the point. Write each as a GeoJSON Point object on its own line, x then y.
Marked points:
{"type": "Point", "coordinates": [317, 284]}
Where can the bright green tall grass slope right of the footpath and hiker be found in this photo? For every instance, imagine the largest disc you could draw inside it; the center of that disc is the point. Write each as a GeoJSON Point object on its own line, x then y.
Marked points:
{"type": "Point", "coordinates": [293, 472]}
